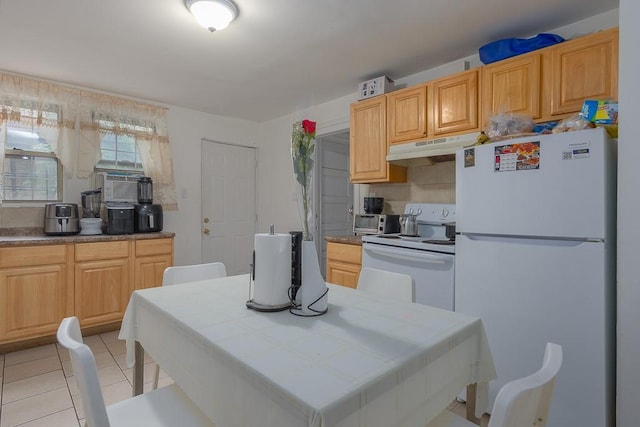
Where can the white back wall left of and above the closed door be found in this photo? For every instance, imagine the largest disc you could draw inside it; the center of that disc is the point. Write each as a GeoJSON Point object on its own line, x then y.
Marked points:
{"type": "Point", "coordinates": [186, 130]}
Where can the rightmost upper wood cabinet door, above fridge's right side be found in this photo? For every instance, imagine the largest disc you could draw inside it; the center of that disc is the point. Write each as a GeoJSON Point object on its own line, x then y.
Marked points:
{"type": "Point", "coordinates": [583, 68]}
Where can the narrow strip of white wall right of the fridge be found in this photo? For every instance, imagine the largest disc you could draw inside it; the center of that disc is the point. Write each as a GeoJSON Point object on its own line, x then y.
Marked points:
{"type": "Point", "coordinates": [628, 398]}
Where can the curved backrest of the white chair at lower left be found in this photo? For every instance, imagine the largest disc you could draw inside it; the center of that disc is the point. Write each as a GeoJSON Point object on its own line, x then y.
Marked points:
{"type": "Point", "coordinates": [85, 372]}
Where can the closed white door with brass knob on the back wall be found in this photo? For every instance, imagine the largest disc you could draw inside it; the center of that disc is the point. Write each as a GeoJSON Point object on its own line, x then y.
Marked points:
{"type": "Point", "coordinates": [228, 205]}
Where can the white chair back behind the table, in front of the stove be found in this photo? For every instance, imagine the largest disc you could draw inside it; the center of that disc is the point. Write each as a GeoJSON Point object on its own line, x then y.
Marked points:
{"type": "Point", "coordinates": [392, 285]}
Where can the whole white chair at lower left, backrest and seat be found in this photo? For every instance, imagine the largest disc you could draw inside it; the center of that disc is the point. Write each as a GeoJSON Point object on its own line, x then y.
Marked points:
{"type": "Point", "coordinates": [168, 406]}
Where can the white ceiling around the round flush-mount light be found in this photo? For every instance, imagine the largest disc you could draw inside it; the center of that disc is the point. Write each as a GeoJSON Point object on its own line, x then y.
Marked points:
{"type": "Point", "coordinates": [277, 57]}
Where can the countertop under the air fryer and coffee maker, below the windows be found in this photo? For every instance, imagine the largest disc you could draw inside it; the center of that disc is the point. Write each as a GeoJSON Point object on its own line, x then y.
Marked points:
{"type": "Point", "coordinates": [35, 236]}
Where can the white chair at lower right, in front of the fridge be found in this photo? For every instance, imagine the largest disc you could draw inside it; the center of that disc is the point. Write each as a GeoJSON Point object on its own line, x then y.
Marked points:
{"type": "Point", "coordinates": [523, 402]}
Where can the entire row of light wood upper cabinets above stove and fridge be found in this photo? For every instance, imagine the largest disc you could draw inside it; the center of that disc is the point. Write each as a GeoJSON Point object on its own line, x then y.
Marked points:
{"type": "Point", "coordinates": [546, 84]}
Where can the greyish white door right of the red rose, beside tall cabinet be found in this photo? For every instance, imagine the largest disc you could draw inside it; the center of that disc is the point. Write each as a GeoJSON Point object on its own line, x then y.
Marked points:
{"type": "Point", "coordinates": [335, 191]}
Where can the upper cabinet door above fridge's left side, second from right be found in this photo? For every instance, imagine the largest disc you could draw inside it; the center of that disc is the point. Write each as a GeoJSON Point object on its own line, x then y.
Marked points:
{"type": "Point", "coordinates": [512, 85]}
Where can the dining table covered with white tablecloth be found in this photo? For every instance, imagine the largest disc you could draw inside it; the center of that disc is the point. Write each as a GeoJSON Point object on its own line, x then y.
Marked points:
{"type": "Point", "coordinates": [369, 361]}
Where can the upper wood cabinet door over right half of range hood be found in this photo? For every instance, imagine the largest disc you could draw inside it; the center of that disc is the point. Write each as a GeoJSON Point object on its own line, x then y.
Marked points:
{"type": "Point", "coordinates": [455, 103]}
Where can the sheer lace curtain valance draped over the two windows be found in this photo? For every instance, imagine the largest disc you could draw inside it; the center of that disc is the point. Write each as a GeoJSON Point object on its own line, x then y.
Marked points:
{"type": "Point", "coordinates": [80, 116]}
